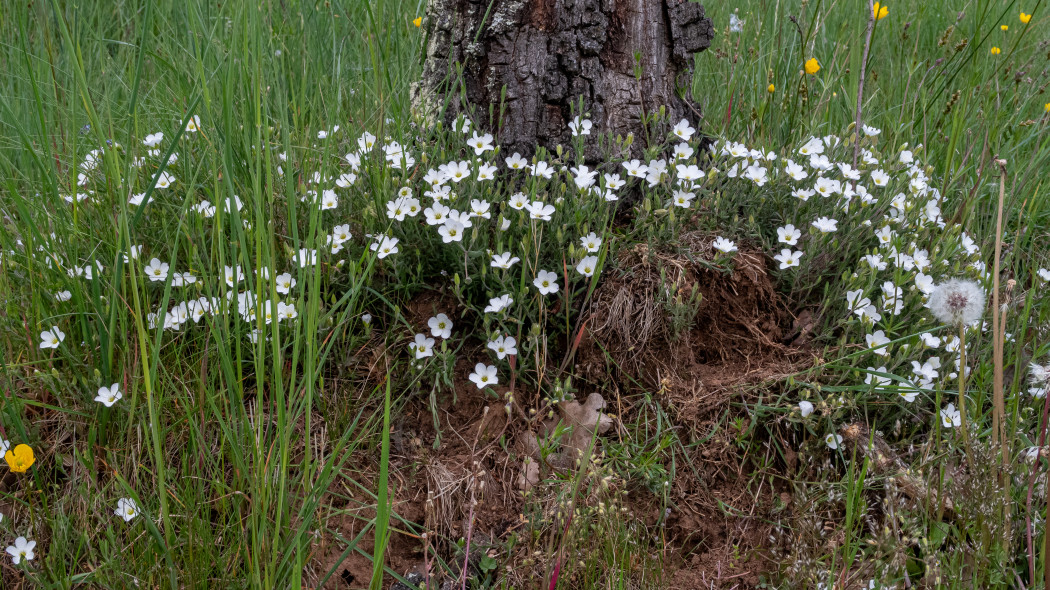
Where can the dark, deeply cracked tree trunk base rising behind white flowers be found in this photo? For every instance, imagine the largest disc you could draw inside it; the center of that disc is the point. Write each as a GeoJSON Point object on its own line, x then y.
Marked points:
{"type": "Point", "coordinates": [551, 54]}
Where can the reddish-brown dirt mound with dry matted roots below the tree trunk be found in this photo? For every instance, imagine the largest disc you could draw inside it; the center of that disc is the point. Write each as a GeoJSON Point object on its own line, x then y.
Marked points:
{"type": "Point", "coordinates": [685, 324]}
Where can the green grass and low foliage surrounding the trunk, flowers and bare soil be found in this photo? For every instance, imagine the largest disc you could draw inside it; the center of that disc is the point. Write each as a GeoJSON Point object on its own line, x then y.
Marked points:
{"type": "Point", "coordinates": [245, 444]}
